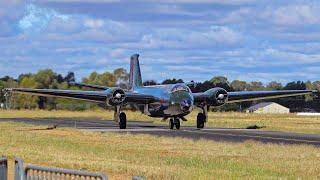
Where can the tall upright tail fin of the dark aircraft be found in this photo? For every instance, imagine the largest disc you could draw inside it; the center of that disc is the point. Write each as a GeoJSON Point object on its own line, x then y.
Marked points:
{"type": "Point", "coordinates": [135, 74]}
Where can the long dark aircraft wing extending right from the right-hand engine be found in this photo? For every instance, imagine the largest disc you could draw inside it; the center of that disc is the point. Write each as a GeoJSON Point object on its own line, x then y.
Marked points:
{"type": "Point", "coordinates": [241, 96]}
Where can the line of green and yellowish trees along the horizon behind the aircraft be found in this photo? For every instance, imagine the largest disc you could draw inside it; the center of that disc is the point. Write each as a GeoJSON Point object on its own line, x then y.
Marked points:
{"type": "Point", "coordinates": [119, 77]}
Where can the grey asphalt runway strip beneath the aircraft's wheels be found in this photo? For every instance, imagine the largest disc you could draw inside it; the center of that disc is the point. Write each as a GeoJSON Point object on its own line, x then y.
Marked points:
{"type": "Point", "coordinates": [216, 134]}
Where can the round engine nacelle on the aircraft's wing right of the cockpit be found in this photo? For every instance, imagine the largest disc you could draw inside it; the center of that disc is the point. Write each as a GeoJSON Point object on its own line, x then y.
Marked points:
{"type": "Point", "coordinates": [217, 96]}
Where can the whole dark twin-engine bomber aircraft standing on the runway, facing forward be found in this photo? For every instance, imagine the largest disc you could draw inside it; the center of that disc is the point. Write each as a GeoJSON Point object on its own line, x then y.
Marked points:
{"type": "Point", "coordinates": [172, 101]}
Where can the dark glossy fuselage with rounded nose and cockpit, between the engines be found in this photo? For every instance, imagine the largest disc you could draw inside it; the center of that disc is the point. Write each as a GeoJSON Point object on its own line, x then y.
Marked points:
{"type": "Point", "coordinates": [175, 100]}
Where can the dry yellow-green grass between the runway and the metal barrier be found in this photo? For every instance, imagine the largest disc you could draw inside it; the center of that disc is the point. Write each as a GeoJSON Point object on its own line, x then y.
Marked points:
{"type": "Point", "coordinates": [121, 156]}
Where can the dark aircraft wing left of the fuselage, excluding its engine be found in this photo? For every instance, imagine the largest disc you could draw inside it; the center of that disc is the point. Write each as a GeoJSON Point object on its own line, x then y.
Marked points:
{"type": "Point", "coordinates": [93, 96]}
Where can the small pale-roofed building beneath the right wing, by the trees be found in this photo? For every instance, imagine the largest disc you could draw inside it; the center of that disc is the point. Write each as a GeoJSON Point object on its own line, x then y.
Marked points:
{"type": "Point", "coordinates": [268, 107]}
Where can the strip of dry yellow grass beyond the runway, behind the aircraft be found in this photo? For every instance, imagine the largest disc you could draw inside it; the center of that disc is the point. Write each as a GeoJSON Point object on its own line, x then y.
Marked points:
{"type": "Point", "coordinates": [278, 122]}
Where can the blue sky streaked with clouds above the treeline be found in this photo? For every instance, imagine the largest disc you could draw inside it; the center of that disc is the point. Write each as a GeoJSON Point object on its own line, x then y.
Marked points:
{"type": "Point", "coordinates": [251, 40]}
